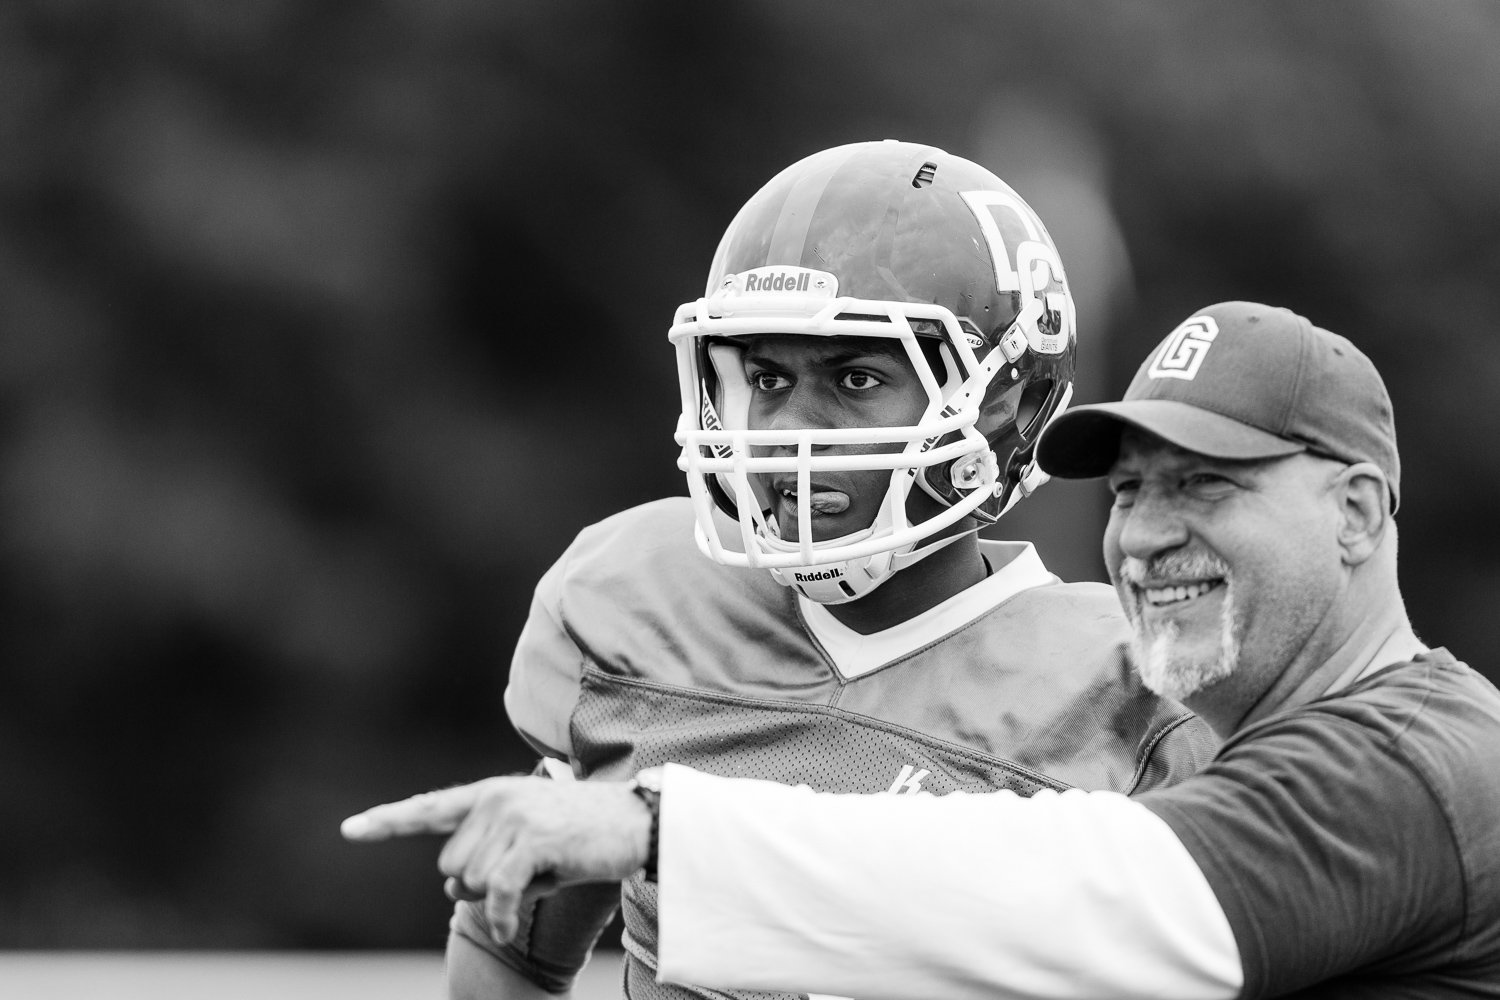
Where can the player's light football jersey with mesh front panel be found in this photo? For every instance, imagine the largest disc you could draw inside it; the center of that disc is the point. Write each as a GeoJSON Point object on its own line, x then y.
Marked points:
{"type": "Point", "coordinates": [641, 651]}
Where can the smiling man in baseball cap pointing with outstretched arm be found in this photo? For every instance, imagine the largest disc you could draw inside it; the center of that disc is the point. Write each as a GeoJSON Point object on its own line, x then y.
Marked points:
{"type": "Point", "coordinates": [1346, 840]}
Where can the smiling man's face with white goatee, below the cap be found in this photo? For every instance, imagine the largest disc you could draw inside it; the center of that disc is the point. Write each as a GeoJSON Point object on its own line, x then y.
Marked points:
{"type": "Point", "coordinates": [1226, 569]}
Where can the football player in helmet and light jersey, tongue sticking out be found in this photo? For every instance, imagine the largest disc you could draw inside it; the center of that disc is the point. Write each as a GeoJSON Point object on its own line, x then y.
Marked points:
{"type": "Point", "coordinates": [884, 335]}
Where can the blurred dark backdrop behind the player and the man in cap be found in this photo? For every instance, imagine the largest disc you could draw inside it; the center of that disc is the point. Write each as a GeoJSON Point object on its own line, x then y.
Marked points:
{"type": "Point", "coordinates": [325, 326]}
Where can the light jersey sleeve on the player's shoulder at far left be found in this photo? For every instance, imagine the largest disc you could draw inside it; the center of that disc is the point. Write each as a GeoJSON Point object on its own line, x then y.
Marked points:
{"type": "Point", "coordinates": [545, 672]}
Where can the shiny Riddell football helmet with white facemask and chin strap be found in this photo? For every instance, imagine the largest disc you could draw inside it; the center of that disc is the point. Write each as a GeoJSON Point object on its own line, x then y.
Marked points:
{"type": "Point", "coordinates": [877, 241]}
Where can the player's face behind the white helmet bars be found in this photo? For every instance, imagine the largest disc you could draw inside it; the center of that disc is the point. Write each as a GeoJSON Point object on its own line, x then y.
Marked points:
{"type": "Point", "coordinates": [800, 382]}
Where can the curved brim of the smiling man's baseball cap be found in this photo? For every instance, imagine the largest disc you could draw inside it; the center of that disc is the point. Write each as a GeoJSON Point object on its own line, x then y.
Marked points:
{"type": "Point", "coordinates": [1084, 443]}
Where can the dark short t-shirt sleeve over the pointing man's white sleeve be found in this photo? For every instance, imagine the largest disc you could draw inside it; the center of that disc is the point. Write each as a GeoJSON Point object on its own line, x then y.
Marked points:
{"type": "Point", "coordinates": [1327, 852]}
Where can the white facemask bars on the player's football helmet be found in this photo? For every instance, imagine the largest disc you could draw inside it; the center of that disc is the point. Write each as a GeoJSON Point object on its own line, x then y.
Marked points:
{"type": "Point", "coordinates": [725, 461]}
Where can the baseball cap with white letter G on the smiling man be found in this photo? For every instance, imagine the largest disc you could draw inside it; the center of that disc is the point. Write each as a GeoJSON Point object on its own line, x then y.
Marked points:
{"type": "Point", "coordinates": [1240, 382]}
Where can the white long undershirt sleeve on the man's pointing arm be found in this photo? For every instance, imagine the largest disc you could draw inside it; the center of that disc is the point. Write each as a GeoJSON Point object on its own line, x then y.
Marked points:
{"type": "Point", "coordinates": [917, 897]}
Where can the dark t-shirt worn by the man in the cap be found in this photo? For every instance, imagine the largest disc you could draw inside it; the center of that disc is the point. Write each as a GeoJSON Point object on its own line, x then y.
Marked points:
{"type": "Point", "coordinates": [1358, 833]}
